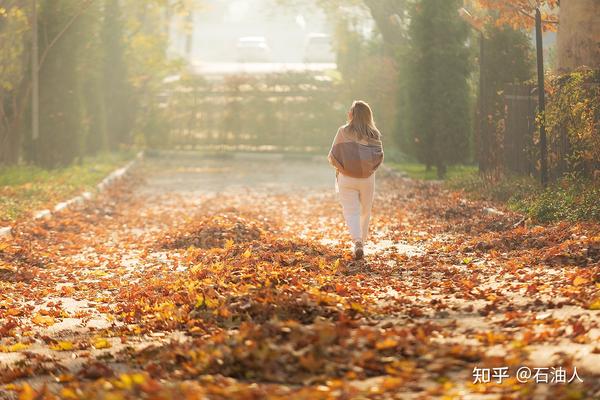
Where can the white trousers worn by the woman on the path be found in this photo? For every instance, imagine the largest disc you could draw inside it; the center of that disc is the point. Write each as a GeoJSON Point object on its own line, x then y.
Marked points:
{"type": "Point", "coordinates": [356, 197]}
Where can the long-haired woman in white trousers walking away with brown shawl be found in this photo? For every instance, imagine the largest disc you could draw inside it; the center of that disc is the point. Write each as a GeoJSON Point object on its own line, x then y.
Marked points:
{"type": "Point", "coordinates": [356, 153]}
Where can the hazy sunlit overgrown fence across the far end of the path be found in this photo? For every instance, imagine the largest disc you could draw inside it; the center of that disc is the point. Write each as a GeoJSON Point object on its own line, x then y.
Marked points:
{"type": "Point", "coordinates": [277, 111]}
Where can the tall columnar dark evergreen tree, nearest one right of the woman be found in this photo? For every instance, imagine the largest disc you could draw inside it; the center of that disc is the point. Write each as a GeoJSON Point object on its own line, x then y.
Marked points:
{"type": "Point", "coordinates": [439, 91]}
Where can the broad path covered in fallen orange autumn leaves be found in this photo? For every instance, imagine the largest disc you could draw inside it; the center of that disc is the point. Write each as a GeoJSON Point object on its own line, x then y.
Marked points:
{"type": "Point", "coordinates": [231, 278]}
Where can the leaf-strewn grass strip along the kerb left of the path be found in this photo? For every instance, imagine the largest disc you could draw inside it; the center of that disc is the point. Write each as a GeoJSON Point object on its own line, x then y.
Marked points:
{"type": "Point", "coordinates": [25, 189]}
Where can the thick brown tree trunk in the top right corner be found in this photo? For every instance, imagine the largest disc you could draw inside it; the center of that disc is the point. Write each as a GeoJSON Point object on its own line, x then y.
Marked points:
{"type": "Point", "coordinates": [579, 34]}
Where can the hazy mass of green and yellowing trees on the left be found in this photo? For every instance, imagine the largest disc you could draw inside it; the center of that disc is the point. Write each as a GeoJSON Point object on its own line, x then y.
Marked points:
{"type": "Point", "coordinates": [101, 67]}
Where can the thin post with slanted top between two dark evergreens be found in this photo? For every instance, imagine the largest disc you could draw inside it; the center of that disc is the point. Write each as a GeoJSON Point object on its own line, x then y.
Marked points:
{"type": "Point", "coordinates": [483, 156]}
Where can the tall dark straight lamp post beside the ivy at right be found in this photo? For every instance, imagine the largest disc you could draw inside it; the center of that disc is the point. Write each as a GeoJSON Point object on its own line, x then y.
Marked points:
{"type": "Point", "coordinates": [541, 94]}
